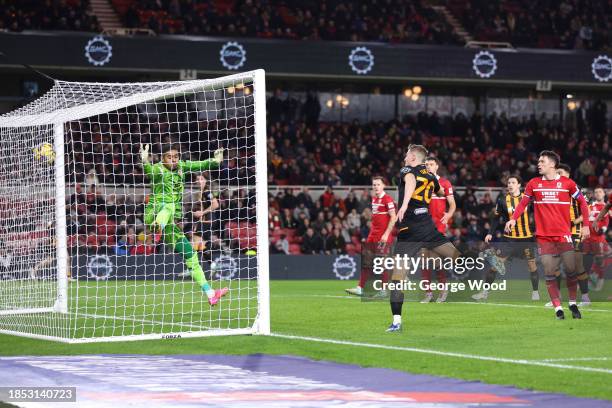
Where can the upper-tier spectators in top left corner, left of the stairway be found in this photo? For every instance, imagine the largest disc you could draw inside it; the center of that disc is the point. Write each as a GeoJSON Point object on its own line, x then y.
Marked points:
{"type": "Point", "coordinates": [73, 15]}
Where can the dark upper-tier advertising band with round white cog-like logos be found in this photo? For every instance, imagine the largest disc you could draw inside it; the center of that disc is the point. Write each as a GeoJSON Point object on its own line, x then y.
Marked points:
{"type": "Point", "coordinates": [302, 59]}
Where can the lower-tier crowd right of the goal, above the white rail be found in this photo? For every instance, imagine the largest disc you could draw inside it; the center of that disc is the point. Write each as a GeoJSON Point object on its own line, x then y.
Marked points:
{"type": "Point", "coordinates": [475, 150]}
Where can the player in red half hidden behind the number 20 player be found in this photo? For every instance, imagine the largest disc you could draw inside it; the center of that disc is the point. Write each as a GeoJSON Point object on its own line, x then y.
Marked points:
{"type": "Point", "coordinates": [441, 217]}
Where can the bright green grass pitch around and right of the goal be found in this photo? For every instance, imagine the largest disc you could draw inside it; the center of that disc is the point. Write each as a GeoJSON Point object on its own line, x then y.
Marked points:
{"type": "Point", "coordinates": [516, 339]}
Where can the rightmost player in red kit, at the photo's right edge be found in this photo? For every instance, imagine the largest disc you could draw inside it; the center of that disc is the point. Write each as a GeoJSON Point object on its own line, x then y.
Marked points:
{"type": "Point", "coordinates": [596, 245]}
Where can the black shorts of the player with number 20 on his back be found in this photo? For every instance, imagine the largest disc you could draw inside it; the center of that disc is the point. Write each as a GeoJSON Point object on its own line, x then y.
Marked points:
{"type": "Point", "coordinates": [416, 235]}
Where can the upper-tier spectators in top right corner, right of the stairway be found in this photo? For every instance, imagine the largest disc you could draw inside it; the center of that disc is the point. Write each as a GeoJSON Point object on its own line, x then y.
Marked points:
{"type": "Point", "coordinates": [569, 24]}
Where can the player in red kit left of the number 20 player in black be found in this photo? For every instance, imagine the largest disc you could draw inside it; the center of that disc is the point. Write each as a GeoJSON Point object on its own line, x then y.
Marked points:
{"type": "Point", "coordinates": [380, 238]}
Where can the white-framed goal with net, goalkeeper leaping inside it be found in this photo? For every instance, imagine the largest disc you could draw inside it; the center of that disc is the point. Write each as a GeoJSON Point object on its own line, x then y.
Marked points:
{"type": "Point", "coordinates": [130, 211]}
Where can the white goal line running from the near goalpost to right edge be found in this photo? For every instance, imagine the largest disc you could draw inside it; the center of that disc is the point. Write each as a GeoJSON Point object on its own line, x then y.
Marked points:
{"type": "Point", "coordinates": [445, 353]}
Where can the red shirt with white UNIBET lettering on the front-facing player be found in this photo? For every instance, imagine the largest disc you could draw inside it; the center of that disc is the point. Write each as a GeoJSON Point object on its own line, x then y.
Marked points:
{"type": "Point", "coordinates": [552, 200]}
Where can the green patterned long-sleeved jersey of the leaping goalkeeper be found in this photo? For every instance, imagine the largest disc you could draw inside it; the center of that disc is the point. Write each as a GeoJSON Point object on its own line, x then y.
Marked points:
{"type": "Point", "coordinates": [167, 185]}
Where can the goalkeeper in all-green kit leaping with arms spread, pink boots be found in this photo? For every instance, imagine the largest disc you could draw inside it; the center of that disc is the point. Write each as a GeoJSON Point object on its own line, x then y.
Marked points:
{"type": "Point", "coordinates": [165, 207]}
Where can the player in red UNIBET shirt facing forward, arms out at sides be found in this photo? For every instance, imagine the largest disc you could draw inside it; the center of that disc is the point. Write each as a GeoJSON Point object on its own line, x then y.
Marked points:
{"type": "Point", "coordinates": [551, 195]}
